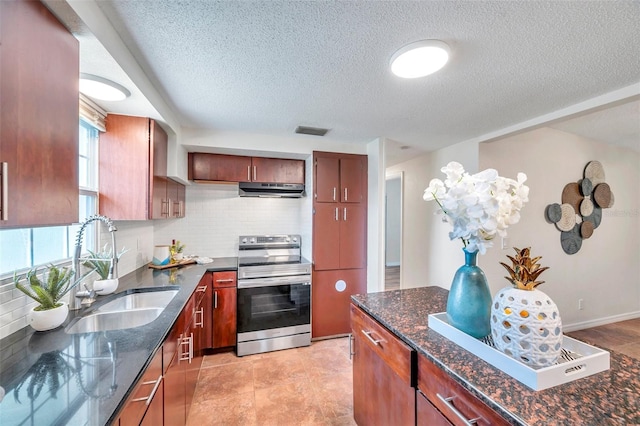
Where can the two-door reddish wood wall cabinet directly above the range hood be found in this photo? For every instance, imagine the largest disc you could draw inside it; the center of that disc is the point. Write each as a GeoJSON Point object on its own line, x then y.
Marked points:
{"type": "Point", "coordinates": [234, 168]}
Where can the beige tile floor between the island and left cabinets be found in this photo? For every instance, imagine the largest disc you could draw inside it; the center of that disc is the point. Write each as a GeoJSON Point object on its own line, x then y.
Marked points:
{"type": "Point", "coordinates": [302, 386]}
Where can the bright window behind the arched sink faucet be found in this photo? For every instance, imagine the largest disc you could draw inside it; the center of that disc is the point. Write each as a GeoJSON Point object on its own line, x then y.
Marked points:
{"type": "Point", "coordinates": [28, 247]}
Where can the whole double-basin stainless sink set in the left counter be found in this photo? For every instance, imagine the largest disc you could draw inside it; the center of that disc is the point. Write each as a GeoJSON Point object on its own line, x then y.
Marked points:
{"type": "Point", "coordinates": [127, 310]}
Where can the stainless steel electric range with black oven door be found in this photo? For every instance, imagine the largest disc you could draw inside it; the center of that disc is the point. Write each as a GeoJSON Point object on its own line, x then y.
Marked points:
{"type": "Point", "coordinates": [274, 294]}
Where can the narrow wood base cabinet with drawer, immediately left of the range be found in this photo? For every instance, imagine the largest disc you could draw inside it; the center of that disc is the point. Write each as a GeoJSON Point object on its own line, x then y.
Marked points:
{"type": "Point", "coordinates": [225, 299]}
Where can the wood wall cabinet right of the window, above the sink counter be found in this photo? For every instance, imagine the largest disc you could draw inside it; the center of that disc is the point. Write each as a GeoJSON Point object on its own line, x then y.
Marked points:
{"type": "Point", "coordinates": [133, 169]}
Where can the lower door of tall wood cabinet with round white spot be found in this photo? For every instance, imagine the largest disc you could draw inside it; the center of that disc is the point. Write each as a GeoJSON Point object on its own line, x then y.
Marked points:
{"type": "Point", "coordinates": [331, 298]}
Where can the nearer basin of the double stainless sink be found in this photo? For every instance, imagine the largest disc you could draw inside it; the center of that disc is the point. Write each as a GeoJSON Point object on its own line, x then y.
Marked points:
{"type": "Point", "coordinates": [117, 320]}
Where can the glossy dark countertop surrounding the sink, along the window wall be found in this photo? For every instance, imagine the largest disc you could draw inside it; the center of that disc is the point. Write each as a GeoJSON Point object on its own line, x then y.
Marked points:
{"type": "Point", "coordinates": [54, 378]}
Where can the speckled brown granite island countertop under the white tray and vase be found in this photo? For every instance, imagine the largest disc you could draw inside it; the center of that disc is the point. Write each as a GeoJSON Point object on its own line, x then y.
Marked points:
{"type": "Point", "coordinates": [611, 397]}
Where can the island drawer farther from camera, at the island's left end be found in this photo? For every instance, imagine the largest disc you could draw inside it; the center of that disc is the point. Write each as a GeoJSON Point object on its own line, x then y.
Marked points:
{"type": "Point", "coordinates": [395, 353]}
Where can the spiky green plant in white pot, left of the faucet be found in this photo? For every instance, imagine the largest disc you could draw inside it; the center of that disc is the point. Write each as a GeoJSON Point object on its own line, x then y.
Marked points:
{"type": "Point", "coordinates": [53, 284]}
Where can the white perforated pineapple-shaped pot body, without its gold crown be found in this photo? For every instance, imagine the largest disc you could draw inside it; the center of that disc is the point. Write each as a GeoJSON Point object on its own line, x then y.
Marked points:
{"type": "Point", "coordinates": [526, 325]}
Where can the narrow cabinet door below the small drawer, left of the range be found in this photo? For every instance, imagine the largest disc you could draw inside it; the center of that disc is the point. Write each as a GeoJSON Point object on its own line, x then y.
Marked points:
{"type": "Point", "coordinates": [224, 316]}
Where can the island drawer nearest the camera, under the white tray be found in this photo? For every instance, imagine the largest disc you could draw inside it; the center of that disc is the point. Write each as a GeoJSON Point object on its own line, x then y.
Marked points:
{"type": "Point", "coordinates": [450, 398]}
